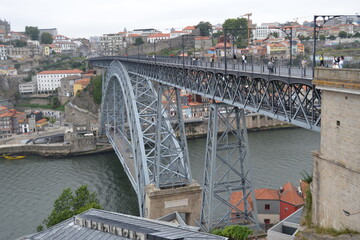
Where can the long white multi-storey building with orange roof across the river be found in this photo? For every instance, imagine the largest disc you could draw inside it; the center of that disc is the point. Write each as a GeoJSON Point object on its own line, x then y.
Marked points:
{"type": "Point", "coordinates": [48, 81]}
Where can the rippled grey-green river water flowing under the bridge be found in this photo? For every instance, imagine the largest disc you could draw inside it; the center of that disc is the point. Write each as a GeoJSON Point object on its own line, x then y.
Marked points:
{"type": "Point", "coordinates": [28, 187]}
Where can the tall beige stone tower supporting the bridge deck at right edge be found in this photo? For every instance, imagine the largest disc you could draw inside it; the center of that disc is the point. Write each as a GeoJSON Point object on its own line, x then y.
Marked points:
{"type": "Point", "coordinates": [336, 172]}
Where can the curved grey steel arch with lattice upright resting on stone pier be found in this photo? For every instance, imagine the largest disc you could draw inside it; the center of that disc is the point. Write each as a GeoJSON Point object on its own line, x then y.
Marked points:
{"type": "Point", "coordinates": [141, 133]}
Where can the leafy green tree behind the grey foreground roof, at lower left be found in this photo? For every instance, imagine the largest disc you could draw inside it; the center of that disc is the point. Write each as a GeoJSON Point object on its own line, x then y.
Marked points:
{"type": "Point", "coordinates": [68, 205]}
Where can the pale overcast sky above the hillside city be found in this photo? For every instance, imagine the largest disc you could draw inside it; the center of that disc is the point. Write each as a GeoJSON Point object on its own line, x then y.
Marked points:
{"type": "Point", "coordinates": [85, 18]}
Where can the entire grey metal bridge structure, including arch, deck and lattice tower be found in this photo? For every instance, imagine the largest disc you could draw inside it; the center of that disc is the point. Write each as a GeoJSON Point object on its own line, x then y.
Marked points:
{"type": "Point", "coordinates": [141, 115]}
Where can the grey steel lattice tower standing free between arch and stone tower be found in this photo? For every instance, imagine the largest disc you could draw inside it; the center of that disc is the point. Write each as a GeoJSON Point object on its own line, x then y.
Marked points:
{"type": "Point", "coordinates": [227, 170]}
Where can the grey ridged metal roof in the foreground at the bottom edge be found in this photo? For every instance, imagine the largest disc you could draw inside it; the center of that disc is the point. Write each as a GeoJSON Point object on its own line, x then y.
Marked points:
{"type": "Point", "coordinates": [77, 228]}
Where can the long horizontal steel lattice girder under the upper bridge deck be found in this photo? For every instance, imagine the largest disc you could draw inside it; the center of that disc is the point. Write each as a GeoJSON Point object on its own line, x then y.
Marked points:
{"type": "Point", "coordinates": [287, 99]}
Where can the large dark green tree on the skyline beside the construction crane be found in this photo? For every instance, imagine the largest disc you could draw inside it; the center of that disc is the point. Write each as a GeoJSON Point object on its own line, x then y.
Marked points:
{"type": "Point", "coordinates": [238, 29]}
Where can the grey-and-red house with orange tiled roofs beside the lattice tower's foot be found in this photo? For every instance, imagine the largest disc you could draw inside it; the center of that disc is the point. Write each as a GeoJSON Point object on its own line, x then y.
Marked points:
{"type": "Point", "coordinates": [272, 205]}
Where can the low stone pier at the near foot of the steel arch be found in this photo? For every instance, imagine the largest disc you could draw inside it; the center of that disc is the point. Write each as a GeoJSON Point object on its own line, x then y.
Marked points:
{"type": "Point", "coordinates": [186, 199]}
